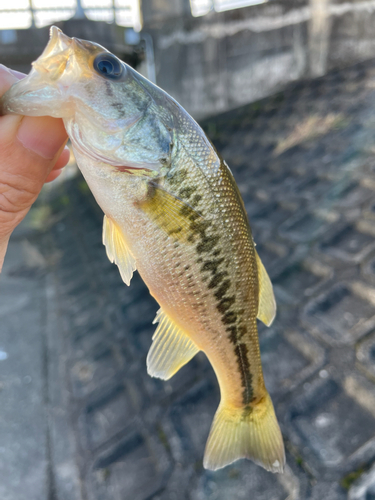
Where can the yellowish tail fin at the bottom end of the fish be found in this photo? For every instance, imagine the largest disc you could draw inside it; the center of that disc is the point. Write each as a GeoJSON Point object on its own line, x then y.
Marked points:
{"type": "Point", "coordinates": [245, 433]}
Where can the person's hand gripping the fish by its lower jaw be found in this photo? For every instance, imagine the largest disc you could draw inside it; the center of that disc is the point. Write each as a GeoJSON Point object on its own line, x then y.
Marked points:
{"type": "Point", "coordinates": [32, 152]}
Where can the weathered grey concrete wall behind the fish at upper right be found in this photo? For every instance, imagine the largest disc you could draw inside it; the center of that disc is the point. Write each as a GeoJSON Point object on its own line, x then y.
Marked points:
{"type": "Point", "coordinates": [222, 60]}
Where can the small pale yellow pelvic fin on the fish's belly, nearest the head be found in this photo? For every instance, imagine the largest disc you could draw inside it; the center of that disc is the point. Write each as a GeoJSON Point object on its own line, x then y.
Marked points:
{"type": "Point", "coordinates": [117, 249]}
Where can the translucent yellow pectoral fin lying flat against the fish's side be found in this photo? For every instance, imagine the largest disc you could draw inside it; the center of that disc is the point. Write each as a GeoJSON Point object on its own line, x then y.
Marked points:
{"type": "Point", "coordinates": [169, 212]}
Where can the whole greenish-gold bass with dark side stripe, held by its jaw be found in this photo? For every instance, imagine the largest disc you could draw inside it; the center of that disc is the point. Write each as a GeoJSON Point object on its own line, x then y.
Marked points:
{"type": "Point", "coordinates": [172, 211]}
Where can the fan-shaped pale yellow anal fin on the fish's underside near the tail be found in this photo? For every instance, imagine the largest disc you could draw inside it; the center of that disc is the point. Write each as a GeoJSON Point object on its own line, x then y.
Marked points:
{"type": "Point", "coordinates": [170, 350]}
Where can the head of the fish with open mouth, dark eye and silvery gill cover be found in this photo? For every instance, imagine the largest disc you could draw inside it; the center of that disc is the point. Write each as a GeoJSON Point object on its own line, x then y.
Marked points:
{"type": "Point", "coordinates": [109, 110]}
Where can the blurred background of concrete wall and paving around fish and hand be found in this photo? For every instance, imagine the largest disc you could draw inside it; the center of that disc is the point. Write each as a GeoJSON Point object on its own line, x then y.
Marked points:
{"type": "Point", "coordinates": [286, 92]}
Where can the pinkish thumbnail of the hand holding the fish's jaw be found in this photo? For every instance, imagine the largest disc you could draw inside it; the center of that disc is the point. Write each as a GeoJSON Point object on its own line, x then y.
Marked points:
{"type": "Point", "coordinates": [43, 135]}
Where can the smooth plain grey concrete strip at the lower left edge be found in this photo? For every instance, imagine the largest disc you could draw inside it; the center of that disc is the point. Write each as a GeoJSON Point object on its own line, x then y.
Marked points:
{"type": "Point", "coordinates": [23, 420]}
